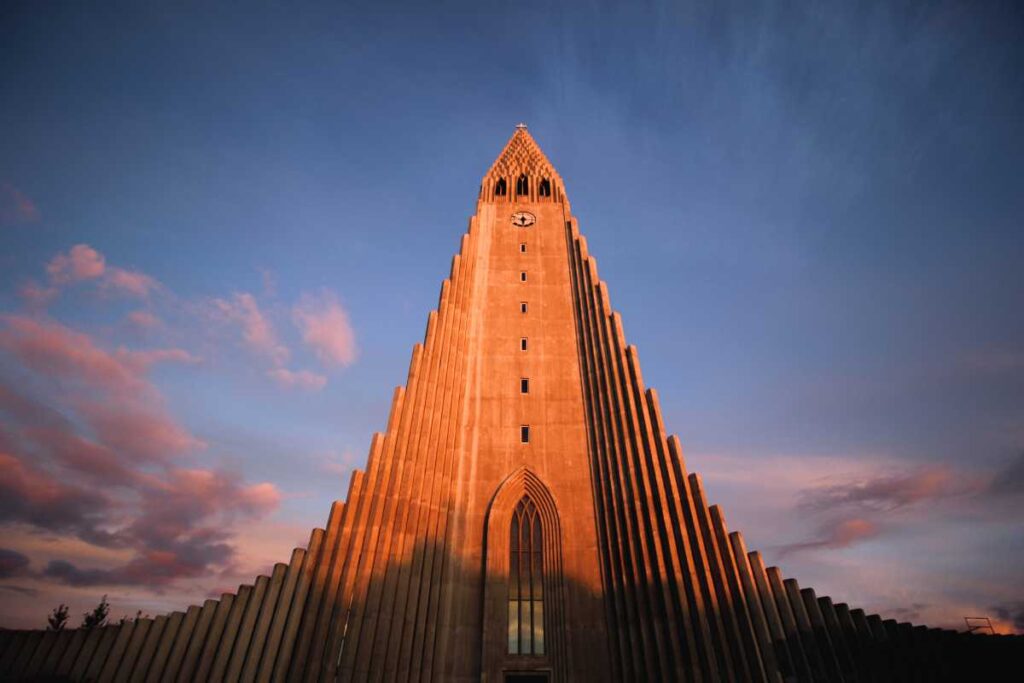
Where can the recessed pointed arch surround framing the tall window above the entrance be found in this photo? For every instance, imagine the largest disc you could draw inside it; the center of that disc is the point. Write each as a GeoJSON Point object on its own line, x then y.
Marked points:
{"type": "Point", "coordinates": [523, 484]}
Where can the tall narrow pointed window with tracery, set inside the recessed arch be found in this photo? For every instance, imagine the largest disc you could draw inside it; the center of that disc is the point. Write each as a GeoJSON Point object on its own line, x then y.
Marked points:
{"type": "Point", "coordinates": [526, 581]}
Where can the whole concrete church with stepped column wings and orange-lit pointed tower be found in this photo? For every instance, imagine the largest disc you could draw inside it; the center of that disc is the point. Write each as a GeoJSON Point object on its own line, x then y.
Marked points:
{"type": "Point", "coordinates": [524, 518]}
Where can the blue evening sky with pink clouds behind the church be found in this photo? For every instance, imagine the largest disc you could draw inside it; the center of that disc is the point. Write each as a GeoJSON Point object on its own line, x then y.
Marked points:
{"type": "Point", "coordinates": [222, 231]}
